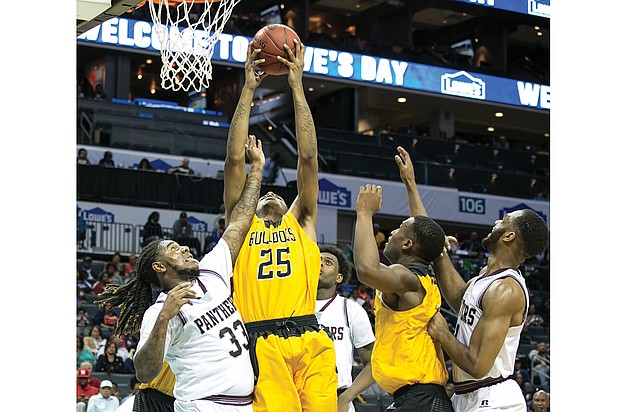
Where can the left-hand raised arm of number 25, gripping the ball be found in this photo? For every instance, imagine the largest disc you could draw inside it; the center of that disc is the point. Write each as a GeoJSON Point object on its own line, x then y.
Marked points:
{"type": "Point", "coordinates": [234, 165]}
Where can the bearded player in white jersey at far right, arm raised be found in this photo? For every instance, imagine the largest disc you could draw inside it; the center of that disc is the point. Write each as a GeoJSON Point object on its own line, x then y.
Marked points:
{"type": "Point", "coordinates": [492, 308]}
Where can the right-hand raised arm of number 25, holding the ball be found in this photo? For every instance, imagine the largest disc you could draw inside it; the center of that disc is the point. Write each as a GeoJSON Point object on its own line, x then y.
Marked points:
{"type": "Point", "coordinates": [306, 204]}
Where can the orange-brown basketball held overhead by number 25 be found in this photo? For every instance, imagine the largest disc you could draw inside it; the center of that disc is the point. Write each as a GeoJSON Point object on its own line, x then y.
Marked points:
{"type": "Point", "coordinates": [271, 39]}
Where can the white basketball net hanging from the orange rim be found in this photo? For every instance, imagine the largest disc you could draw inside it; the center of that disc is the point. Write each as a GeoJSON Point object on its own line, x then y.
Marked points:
{"type": "Point", "coordinates": [187, 31]}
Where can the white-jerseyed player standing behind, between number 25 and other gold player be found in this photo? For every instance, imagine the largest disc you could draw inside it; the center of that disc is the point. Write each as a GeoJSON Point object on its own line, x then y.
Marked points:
{"type": "Point", "coordinates": [348, 324]}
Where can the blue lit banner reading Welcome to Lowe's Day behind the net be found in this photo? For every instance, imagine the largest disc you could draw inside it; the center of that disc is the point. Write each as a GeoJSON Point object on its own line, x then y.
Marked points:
{"type": "Point", "coordinates": [359, 68]}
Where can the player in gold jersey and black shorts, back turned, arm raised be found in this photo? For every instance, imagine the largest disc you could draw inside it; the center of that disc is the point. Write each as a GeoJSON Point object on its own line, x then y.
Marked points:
{"type": "Point", "coordinates": [405, 360]}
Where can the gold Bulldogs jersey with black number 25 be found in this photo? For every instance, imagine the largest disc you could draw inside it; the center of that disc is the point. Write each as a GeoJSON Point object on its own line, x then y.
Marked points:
{"type": "Point", "coordinates": [276, 274]}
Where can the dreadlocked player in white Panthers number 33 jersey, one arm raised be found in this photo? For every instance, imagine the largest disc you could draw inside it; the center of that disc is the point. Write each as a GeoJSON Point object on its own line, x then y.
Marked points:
{"type": "Point", "coordinates": [194, 325]}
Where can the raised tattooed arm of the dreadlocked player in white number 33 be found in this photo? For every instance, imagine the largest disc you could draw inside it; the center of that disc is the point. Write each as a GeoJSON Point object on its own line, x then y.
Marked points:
{"type": "Point", "coordinates": [244, 210]}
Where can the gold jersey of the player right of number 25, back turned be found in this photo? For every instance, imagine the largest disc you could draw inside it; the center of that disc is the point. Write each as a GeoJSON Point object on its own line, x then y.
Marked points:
{"type": "Point", "coordinates": [404, 353]}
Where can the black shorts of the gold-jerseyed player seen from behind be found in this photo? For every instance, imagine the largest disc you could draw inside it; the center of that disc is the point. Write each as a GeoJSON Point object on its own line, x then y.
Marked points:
{"type": "Point", "coordinates": [421, 398]}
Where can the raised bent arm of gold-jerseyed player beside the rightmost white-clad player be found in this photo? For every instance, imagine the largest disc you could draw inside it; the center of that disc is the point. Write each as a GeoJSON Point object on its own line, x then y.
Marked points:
{"type": "Point", "coordinates": [390, 279]}
